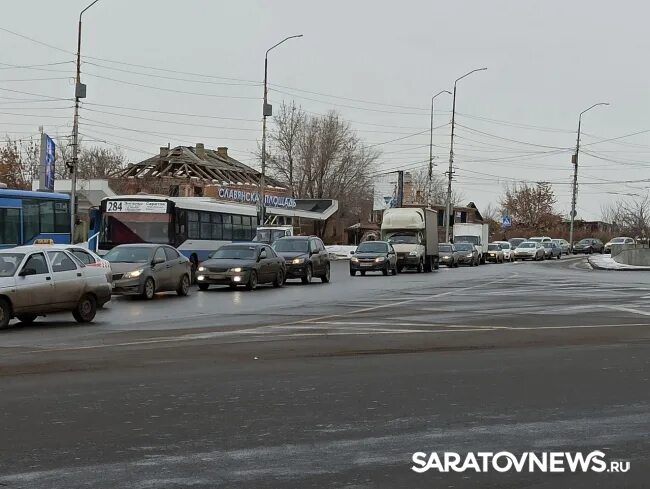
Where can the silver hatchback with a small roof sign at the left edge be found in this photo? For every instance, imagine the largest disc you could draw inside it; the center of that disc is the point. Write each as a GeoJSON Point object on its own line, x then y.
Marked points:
{"type": "Point", "coordinates": [35, 282]}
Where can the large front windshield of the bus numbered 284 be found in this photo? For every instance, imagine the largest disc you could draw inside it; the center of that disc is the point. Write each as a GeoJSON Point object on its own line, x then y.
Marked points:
{"type": "Point", "coordinates": [134, 227]}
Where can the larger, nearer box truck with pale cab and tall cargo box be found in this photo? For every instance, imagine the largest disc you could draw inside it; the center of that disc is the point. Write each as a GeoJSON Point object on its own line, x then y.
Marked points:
{"type": "Point", "coordinates": [413, 232]}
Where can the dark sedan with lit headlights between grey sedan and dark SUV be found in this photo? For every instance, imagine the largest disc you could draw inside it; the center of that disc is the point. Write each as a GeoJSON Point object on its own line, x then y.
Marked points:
{"type": "Point", "coordinates": [247, 264]}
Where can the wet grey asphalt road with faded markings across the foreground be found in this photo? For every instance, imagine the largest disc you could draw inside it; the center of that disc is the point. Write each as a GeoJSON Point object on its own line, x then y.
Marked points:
{"type": "Point", "coordinates": [335, 385]}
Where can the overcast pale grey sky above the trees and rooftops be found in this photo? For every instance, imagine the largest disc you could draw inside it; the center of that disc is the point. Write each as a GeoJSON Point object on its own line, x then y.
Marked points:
{"type": "Point", "coordinates": [547, 61]}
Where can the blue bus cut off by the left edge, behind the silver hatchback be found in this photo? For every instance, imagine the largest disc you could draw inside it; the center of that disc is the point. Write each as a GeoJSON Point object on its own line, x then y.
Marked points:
{"type": "Point", "coordinates": [27, 216]}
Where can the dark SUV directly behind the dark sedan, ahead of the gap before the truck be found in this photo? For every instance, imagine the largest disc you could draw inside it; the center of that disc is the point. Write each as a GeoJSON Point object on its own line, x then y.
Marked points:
{"type": "Point", "coordinates": [305, 257]}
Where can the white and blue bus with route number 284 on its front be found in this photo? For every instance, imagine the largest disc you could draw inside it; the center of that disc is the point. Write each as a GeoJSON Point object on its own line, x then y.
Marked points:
{"type": "Point", "coordinates": [195, 226]}
